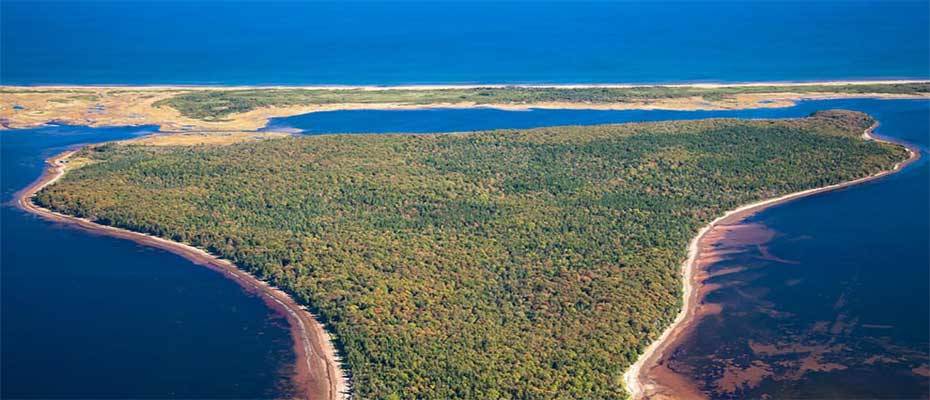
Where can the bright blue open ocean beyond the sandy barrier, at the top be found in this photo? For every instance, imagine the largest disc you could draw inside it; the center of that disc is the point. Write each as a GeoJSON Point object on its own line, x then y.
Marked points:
{"type": "Point", "coordinates": [380, 42]}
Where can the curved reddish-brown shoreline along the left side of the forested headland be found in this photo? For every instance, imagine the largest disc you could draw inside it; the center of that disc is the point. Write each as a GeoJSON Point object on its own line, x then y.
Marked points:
{"type": "Point", "coordinates": [317, 374]}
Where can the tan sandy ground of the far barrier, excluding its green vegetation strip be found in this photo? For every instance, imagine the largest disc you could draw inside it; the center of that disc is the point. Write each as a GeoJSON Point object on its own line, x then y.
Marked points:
{"type": "Point", "coordinates": [33, 106]}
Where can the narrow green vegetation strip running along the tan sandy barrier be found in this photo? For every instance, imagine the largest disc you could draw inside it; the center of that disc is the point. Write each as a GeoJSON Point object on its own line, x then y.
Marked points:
{"type": "Point", "coordinates": [217, 104]}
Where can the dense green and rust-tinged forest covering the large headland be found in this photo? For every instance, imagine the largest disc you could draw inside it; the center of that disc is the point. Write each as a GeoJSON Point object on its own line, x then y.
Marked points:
{"type": "Point", "coordinates": [510, 264]}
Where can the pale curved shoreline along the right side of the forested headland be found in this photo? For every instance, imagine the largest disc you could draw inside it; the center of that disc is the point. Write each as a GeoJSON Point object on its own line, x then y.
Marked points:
{"type": "Point", "coordinates": [637, 379]}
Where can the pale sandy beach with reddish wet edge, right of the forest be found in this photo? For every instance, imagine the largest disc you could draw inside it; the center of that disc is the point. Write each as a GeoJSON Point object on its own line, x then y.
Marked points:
{"type": "Point", "coordinates": [648, 378]}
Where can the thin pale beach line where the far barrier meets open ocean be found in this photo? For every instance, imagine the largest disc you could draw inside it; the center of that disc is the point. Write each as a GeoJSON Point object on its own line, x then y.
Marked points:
{"type": "Point", "coordinates": [435, 86]}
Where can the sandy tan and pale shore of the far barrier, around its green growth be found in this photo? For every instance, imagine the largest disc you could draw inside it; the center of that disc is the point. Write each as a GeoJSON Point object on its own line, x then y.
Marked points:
{"type": "Point", "coordinates": [33, 106]}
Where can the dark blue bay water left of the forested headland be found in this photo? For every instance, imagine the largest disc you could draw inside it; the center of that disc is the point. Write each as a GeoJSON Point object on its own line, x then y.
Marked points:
{"type": "Point", "coordinates": [90, 316]}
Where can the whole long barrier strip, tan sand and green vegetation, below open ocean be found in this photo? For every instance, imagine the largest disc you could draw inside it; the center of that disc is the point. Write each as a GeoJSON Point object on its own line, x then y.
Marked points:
{"type": "Point", "coordinates": [225, 109]}
